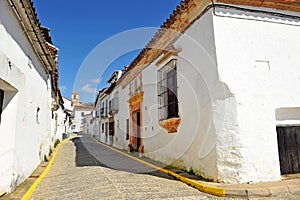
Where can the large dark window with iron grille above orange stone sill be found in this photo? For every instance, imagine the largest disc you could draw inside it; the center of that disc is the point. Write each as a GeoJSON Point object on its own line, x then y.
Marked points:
{"type": "Point", "coordinates": [167, 91]}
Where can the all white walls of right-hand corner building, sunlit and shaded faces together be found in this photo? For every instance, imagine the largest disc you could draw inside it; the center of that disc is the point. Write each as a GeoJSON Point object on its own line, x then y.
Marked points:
{"type": "Point", "coordinates": [237, 79]}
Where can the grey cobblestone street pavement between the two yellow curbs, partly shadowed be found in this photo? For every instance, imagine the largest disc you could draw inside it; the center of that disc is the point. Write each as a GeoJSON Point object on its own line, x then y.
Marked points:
{"type": "Point", "coordinates": [84, 169]}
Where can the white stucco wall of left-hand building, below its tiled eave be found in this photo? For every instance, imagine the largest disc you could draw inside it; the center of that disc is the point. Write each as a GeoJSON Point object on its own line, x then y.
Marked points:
{"type": "Point", "coordinates": [19, 127]}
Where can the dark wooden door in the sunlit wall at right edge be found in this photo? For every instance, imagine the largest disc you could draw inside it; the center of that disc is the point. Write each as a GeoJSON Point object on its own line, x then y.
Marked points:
{"type": "Point", "coordinates": [289, 149]}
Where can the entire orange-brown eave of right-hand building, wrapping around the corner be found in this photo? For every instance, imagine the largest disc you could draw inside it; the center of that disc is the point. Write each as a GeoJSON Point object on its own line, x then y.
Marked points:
{"type": "Point", "coordinates": [181, 18]}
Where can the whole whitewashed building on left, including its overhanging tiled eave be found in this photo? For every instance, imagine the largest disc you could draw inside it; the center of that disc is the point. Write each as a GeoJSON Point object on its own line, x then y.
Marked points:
{"type": "Point", "coordinates": [29, 96]}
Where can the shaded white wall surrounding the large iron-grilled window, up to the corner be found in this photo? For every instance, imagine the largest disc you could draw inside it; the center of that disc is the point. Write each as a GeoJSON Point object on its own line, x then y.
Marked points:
{"type": "Point", "coordinates": [193, 146]}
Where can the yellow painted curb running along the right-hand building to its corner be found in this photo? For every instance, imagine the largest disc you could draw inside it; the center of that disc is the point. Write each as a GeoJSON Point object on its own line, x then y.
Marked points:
{"type": "Point", "coordinates": [221, 192]}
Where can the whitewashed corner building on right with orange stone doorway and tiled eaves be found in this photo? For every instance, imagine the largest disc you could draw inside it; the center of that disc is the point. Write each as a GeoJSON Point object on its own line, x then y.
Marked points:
{"type": "Point", "coordinates": [216, 90]}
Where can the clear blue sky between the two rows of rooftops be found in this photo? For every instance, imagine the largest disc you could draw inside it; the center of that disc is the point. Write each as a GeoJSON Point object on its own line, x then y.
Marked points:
{"type": "Point", "coordinates": [77, 27]}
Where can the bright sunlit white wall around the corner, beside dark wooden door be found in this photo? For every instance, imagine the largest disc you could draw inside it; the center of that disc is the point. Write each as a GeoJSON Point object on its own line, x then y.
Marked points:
{"type": "Point", "coordinates": [258, 61]}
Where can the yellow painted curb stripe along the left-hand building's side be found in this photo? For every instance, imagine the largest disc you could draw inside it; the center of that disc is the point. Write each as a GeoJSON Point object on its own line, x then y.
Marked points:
{"type": "Point", "coordinates": [36, 183]}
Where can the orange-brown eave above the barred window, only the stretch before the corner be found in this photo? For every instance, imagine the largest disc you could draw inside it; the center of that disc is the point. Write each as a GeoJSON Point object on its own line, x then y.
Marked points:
{"type": "Point", "coordinates": [181, 18]}
